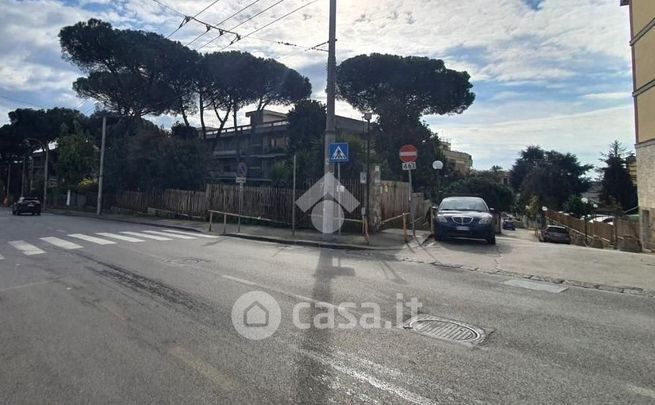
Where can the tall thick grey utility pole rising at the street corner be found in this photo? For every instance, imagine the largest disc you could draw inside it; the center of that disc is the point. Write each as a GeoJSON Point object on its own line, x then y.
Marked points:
{"type": "Point", "coordinates": [330, 121]}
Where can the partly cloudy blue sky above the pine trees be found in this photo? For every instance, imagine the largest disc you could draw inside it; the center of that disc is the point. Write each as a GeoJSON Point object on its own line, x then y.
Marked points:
{"type": "Point", "coordinates": [554, 73]}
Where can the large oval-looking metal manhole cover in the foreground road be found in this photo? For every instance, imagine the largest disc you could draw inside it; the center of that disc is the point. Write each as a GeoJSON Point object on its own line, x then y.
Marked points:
{"type": "Point", "coordinates": [446, 329]}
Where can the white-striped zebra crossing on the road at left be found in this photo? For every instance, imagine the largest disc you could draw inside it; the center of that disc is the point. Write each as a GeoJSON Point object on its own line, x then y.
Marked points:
{"type": "Point", "coordinates": [74, 241]}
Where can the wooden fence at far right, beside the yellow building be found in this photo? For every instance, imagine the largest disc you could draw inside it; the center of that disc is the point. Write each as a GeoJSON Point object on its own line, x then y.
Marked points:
{"type": "Point", "coordinates": [607, 232]}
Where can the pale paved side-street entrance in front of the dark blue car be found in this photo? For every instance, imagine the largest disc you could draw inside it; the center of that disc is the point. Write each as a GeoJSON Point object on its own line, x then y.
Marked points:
{"type": "Point", "coordinates": [520, 252]}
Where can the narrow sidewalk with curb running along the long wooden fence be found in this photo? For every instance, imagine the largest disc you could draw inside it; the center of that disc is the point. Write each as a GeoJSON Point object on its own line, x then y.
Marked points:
{"type": "Point", "coordinates": [388, 240]}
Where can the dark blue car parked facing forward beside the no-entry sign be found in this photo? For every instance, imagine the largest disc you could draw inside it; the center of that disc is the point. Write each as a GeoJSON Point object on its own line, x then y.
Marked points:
{"type": "Point", "coordinates": [465, 217]}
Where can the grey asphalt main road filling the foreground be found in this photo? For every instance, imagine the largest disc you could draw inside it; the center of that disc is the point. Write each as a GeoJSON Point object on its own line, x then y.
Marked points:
{"type": "Point", "coordinates": [83, 320]}
